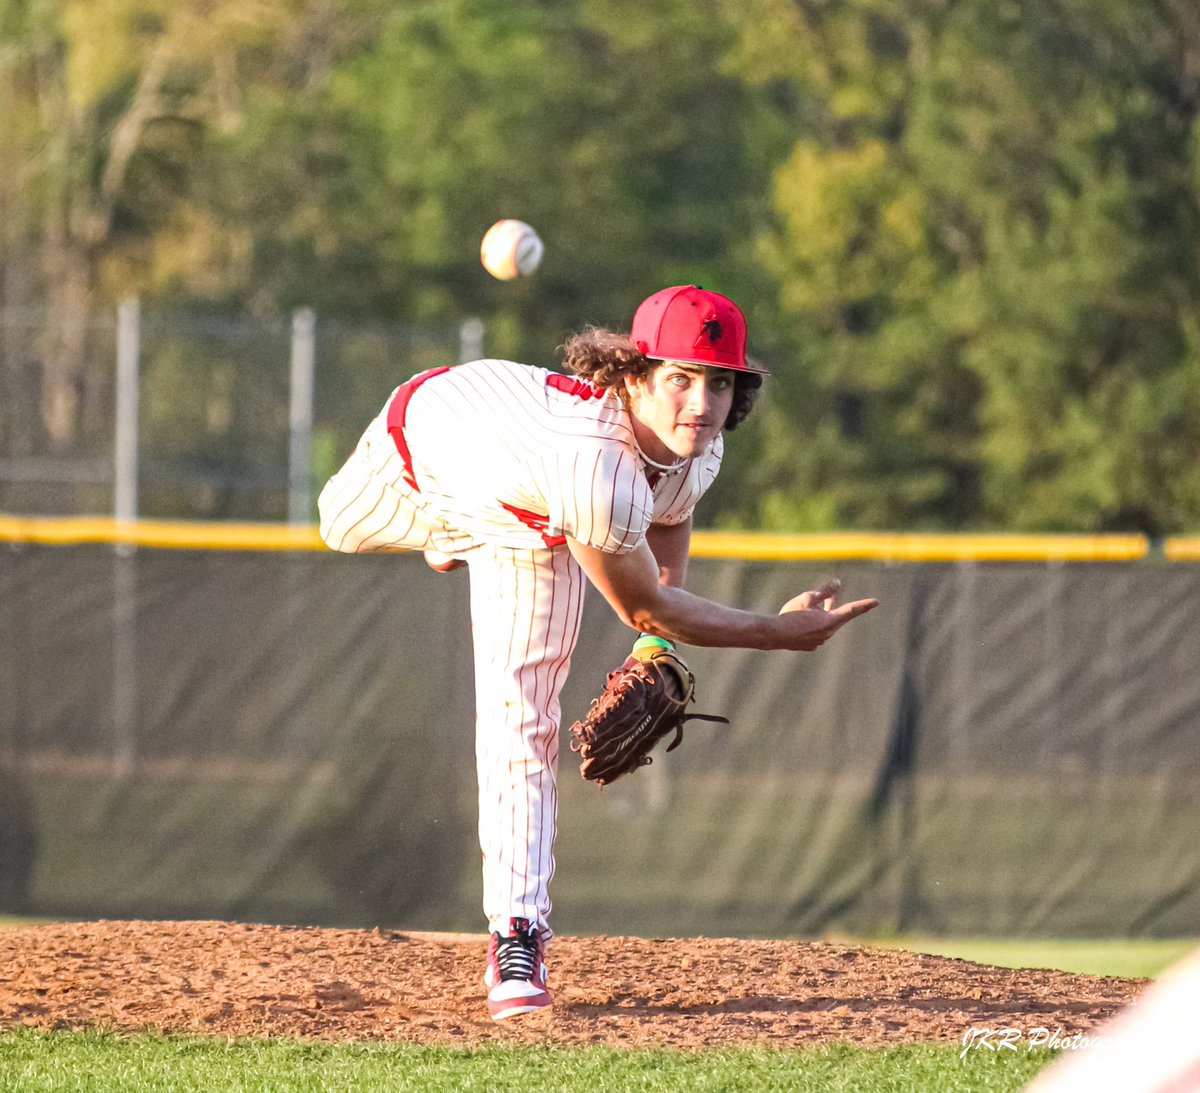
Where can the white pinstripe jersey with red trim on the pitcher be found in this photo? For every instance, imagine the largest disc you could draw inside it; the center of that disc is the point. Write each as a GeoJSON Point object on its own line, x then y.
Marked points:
{"type": "Point", "coordinates": [520, 457]}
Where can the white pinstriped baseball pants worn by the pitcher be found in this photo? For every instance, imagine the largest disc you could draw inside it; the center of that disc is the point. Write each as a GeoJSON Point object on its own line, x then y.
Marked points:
{"type": "Point", "coordinates": [526, 610]}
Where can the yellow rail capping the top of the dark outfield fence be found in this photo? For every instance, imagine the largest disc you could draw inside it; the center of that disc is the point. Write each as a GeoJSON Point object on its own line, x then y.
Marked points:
{"type": "Point", "coordinates": [872, 546]}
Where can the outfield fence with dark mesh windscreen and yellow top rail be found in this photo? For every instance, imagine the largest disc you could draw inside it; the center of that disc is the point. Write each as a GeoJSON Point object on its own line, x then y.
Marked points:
{"type": "Point", "coordinates": [226, 720]}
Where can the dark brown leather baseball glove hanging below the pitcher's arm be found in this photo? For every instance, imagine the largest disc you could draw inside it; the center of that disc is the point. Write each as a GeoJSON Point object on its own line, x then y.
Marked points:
{"type": "Point", "coordinates": [643, 702]}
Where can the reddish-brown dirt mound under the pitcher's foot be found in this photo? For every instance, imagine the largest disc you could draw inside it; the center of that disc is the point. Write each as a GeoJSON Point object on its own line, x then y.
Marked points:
{"type": "Point", "coordinates": [251, 981]}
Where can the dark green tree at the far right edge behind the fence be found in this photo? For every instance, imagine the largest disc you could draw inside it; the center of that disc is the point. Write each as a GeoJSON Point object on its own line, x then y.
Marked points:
{"type": "Point", "coordinates": [1067, 149]}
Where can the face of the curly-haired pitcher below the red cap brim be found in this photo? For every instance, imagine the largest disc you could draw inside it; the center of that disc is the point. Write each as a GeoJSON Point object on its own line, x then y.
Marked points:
{"type": "Point", "coordinates": [680, 410]}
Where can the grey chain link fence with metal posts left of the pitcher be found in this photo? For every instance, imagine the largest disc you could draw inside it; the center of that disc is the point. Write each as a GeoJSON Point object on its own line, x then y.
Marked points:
{"type": "Point", "coordinates": [215, 410]}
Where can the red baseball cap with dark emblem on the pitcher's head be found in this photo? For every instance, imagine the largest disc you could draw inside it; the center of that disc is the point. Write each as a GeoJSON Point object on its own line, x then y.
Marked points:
{"type": "Point", "coordinates": [695, 327]}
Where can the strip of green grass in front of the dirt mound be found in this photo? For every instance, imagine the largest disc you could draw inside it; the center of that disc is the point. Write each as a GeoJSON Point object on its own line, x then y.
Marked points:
{"type": "Point", "coordinates": [79, 1064]}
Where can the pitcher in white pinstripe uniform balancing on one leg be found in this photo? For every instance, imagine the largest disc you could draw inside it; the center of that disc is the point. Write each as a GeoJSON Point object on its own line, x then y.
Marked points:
{"type": "Point", "coordinates": [539, 482]}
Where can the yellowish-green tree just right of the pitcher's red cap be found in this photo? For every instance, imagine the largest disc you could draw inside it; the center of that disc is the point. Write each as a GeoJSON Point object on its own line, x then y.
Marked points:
{"type": "Point", "coordinates": [872, 422]}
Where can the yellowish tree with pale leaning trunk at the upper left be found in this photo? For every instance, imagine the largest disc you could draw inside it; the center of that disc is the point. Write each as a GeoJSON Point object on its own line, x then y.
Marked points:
{"type": "Point", "coordinates": [105, 105]}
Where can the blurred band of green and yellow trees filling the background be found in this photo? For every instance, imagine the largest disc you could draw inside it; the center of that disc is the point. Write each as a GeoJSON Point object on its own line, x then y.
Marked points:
{"type": "Point", "coordinates": [965, 232]}
